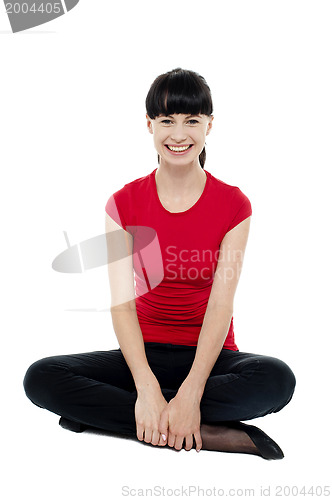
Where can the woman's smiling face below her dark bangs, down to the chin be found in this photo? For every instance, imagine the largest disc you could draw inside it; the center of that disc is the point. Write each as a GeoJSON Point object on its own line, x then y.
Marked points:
{"type": "Point", "coordinates": [179, 138]}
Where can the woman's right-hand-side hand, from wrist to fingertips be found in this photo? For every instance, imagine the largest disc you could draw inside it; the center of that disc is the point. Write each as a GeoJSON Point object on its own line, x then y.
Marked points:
{"type": "Point", "coordinates": [182, 417]}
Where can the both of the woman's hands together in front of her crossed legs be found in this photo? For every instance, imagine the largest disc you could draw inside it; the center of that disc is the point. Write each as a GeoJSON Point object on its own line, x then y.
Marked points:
{"type": "Point", "coordinates": [177, 421]}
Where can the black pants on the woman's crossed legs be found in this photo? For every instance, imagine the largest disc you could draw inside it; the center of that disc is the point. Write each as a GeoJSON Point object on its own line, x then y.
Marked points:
{"type": "Point", "coordinates": [97, 388]}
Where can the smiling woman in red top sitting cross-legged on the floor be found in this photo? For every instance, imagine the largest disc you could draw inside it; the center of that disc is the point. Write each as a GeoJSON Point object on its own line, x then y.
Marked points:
{"type": "Point", "coordinates": [178, 378]}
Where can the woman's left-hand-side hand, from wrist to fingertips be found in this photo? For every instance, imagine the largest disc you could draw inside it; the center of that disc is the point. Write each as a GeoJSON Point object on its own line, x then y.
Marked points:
{"type": "Point", "coordinates": [149, 406]}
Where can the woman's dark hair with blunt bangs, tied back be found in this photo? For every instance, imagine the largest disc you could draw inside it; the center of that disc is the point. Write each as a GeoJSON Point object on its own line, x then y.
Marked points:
{"type": "Point", "coordinates": [179, 91]}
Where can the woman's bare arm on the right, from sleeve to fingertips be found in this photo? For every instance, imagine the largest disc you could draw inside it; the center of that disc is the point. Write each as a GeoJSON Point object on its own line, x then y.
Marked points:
{"type": "Point", "coordinates": [183, 413]}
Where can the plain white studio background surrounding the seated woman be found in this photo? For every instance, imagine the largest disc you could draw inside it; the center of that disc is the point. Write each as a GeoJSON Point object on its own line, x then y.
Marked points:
{"type": "Point", "coordinates": [73, 131]}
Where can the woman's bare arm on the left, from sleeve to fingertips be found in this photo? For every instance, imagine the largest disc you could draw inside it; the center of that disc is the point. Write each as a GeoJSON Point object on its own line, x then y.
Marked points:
{"type": "Point", "coordinates": [150, 401]}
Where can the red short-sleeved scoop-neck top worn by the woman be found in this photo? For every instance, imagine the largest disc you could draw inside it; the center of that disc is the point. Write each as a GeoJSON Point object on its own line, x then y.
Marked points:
{"type": "Point", "coordinates": [175, 254]}
